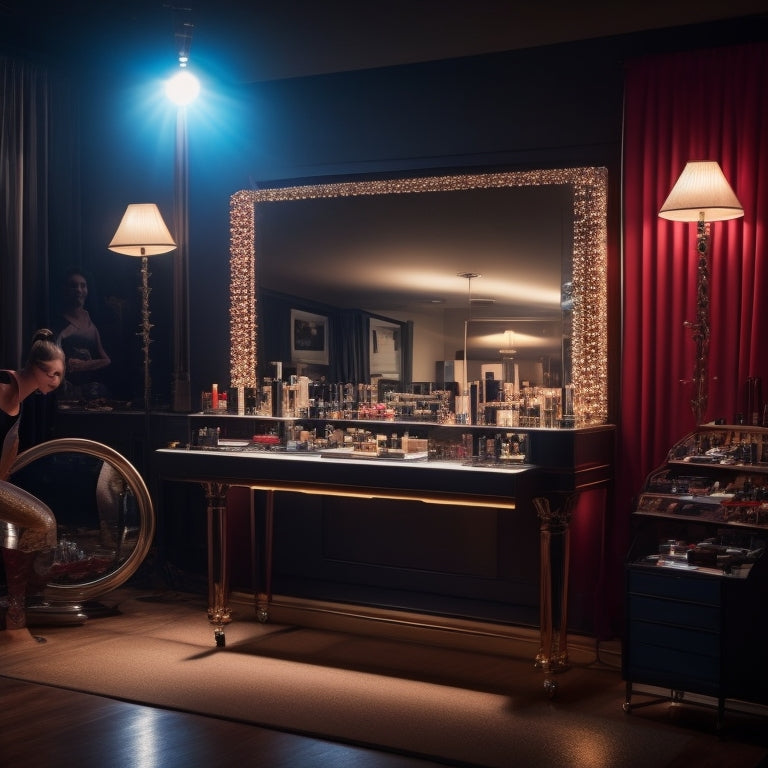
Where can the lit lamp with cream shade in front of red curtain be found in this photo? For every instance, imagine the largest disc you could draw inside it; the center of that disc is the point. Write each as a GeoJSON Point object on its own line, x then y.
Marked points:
{"type": "Point", "coordinates": [701, 194]}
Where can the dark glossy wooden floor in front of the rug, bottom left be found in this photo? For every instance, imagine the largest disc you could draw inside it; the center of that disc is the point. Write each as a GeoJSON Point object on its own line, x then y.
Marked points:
{"type": "Point", "coordinates": [46, 727]}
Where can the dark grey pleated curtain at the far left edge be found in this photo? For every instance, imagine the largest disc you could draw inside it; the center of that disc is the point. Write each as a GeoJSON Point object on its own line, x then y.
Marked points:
{"type": "Point", "coordinates": [39, 163]}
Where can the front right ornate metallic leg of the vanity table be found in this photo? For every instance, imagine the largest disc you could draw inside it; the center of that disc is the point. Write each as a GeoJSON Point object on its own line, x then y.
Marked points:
{"type": "Point", "coordinates": [555, 557]}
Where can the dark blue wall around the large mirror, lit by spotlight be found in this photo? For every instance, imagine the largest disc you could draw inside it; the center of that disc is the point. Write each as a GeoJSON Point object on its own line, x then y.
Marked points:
{"type": "Point", "coordinates": [554, 106]}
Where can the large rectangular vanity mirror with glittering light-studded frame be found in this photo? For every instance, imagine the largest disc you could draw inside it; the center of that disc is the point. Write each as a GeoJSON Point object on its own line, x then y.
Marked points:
{"type": "Point", "coordinates": [534, 243]}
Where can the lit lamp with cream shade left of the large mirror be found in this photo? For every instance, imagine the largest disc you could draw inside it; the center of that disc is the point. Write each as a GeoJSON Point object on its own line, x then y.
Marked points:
{"type": "Point", "coordinates": [142, 233]}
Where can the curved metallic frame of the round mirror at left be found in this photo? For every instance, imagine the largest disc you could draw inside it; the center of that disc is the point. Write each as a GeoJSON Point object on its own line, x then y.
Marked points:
{"type": "Point", "coordinates": [126, 569]}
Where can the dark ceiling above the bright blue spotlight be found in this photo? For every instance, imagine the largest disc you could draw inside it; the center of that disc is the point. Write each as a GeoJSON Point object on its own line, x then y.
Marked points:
{"type": "Point", "coordinates": [256, 40]}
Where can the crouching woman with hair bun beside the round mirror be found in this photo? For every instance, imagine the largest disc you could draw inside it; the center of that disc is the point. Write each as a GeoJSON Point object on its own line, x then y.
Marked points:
{"type": "Point", "coordinates": [27, 526]}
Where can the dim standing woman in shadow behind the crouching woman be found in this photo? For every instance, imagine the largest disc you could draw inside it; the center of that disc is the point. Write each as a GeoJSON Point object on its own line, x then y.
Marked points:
{"type": "Point", "coordinates": [81, 342]}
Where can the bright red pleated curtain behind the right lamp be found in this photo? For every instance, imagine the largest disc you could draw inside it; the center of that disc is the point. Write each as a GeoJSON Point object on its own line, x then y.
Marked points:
{"type": "Point", "coordinates": [702, 105]}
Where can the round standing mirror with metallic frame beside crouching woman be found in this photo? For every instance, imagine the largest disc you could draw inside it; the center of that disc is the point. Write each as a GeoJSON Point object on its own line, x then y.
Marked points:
{"type": "Point", "coordinates": [103, 512]}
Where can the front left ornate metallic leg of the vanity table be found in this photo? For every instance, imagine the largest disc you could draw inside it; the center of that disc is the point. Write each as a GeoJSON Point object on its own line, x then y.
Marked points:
{"type": "Point", "coordinates": [218, 565]}
